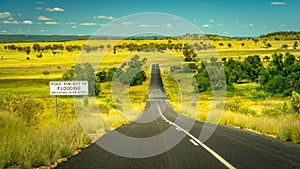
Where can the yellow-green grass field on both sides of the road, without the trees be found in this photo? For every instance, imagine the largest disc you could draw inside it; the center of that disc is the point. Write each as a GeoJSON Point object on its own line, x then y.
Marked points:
{"type": "Point", "coordinates": [27, 111]}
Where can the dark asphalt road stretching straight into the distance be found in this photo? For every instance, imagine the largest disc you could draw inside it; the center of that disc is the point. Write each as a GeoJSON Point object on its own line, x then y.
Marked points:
{"type": "Point", "coordinates": [161, 138]}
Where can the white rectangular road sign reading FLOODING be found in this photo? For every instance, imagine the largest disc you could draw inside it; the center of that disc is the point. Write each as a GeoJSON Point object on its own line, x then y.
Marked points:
{"type": "Point", "coordinates": [74, 88]}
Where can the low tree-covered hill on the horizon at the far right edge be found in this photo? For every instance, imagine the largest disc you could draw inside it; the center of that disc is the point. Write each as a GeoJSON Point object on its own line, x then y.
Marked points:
{"type": "Point", "coordinates": [284, 35]}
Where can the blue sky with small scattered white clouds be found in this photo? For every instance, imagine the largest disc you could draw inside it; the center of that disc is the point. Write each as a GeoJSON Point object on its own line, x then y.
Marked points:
{"type": "Point", "coordinates": [85, 17]}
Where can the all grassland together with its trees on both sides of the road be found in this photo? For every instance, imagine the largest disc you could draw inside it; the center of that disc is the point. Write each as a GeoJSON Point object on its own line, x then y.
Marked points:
{"type": "Point", "coordinates": [262, 79]}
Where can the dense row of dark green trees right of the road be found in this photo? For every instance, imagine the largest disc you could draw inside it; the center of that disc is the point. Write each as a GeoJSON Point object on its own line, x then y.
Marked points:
{"type": "Point", "coordinates": [281, 75]}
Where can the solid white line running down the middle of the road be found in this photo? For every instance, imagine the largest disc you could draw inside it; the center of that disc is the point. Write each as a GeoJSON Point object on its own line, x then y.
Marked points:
{"type": "Point", "coordinates": [217, 156]}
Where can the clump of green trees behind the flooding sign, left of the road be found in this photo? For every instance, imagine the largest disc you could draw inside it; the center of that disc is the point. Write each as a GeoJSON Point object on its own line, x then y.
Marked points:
{"type": "Point", "coordinates": [130, 73]}
